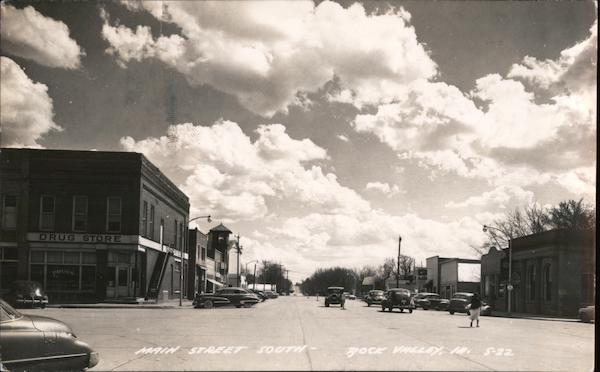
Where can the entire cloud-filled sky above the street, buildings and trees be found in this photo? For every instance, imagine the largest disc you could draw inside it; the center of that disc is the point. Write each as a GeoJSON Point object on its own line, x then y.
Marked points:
{"type": "Point", "coordinates": [320, 132]}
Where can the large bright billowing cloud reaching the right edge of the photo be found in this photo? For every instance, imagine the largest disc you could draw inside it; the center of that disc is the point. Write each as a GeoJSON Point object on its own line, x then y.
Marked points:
{"type": "Point", "coordinates": [500, 131]}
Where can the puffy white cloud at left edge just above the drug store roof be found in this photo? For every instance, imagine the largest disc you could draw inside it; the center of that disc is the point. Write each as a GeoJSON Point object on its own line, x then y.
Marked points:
{"type": "Point", "coordinates": [26, 110]}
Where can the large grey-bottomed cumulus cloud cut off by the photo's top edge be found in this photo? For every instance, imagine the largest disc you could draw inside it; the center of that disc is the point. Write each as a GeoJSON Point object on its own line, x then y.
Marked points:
{"type": "Point", "coordinates": [268, 54]}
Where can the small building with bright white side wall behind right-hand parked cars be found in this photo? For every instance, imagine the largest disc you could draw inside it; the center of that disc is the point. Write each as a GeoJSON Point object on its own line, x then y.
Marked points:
{"type": "Point", "coordinates": [447, 276]}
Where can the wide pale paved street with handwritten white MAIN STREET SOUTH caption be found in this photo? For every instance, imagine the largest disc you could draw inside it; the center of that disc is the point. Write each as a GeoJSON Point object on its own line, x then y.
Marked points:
{"type": "Point", "coordinates": [298, 333]}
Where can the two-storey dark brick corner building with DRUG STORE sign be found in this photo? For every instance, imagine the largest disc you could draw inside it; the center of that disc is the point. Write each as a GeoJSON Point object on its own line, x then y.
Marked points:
{"type": "Point", "coordinates": [90, 225]}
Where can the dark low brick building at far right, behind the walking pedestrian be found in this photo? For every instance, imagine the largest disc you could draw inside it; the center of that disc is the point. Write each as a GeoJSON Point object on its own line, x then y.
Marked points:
{"type": "Point", "coordinates": [553, 273]}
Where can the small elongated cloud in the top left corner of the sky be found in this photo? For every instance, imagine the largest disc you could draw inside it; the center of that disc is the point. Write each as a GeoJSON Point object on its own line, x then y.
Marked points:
{"type": "Point", "coordinates": [28, 34]}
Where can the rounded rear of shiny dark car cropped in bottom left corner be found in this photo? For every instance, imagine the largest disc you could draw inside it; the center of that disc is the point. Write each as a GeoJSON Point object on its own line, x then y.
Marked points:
{"type": "Point", "coordinates": [30, 342]}
